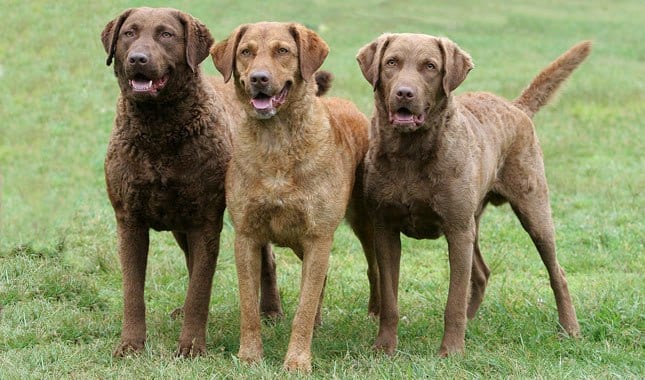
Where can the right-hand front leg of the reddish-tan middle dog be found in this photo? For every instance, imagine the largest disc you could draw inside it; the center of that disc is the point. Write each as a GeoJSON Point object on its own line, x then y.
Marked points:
{"type": "Point", "coordinates": [315, 261]}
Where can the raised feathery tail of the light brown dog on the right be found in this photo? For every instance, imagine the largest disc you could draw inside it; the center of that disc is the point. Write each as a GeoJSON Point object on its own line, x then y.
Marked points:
{"type": "Point", "coordinates": [547, 82]}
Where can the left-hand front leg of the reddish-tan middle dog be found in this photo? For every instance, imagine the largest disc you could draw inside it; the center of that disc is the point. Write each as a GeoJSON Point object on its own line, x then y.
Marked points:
{"type": "Point", "coordinates": [248, 260]}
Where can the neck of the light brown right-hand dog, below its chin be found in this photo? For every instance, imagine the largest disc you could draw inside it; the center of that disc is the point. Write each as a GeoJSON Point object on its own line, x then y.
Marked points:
{"type": "Point", "coordinates": [421, 144]}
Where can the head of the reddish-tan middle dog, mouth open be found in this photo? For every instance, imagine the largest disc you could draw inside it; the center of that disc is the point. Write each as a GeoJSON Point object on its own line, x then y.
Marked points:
{"type": "Point", "coordinates": [271, 62]}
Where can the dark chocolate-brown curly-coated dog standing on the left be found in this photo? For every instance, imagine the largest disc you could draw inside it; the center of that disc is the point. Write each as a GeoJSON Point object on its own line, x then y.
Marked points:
{"type": "Point", "coordinates": [166, 163]}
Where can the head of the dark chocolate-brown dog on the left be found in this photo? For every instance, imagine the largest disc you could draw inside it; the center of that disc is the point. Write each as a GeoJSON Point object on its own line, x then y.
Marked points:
{"type": "Point", "coordinates": [154, 50]}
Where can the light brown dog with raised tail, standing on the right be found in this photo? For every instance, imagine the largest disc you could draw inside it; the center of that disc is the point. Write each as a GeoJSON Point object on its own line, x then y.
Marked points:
{"type": "Point", "coordinates": [436, 160]}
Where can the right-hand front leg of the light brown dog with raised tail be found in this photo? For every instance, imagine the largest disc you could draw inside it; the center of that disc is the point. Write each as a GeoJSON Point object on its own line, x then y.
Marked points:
{"type": "Point", "coordinates": [460, 253]}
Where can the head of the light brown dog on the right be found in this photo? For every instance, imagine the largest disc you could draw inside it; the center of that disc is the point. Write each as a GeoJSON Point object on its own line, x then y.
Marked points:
{"type": "Point", "coordinates": [412, 74]}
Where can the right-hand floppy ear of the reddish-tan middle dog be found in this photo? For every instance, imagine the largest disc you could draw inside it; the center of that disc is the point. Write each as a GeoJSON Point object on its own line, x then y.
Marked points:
{"type": "Point", "coordinates": [312, 50]}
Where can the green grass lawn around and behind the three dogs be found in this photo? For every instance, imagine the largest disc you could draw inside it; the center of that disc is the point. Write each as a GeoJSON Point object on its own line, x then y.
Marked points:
{"type": "Point", "coordinates": [60, 290]}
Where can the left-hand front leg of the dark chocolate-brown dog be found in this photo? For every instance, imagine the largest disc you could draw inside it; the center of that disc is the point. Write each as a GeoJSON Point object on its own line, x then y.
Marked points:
{"type": "Point", "coordinates": [133, 242]}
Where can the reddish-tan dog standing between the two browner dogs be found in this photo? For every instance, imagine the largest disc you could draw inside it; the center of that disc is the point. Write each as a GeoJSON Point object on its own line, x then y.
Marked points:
{"type": "Point", "coordinates": [296, 160]}
